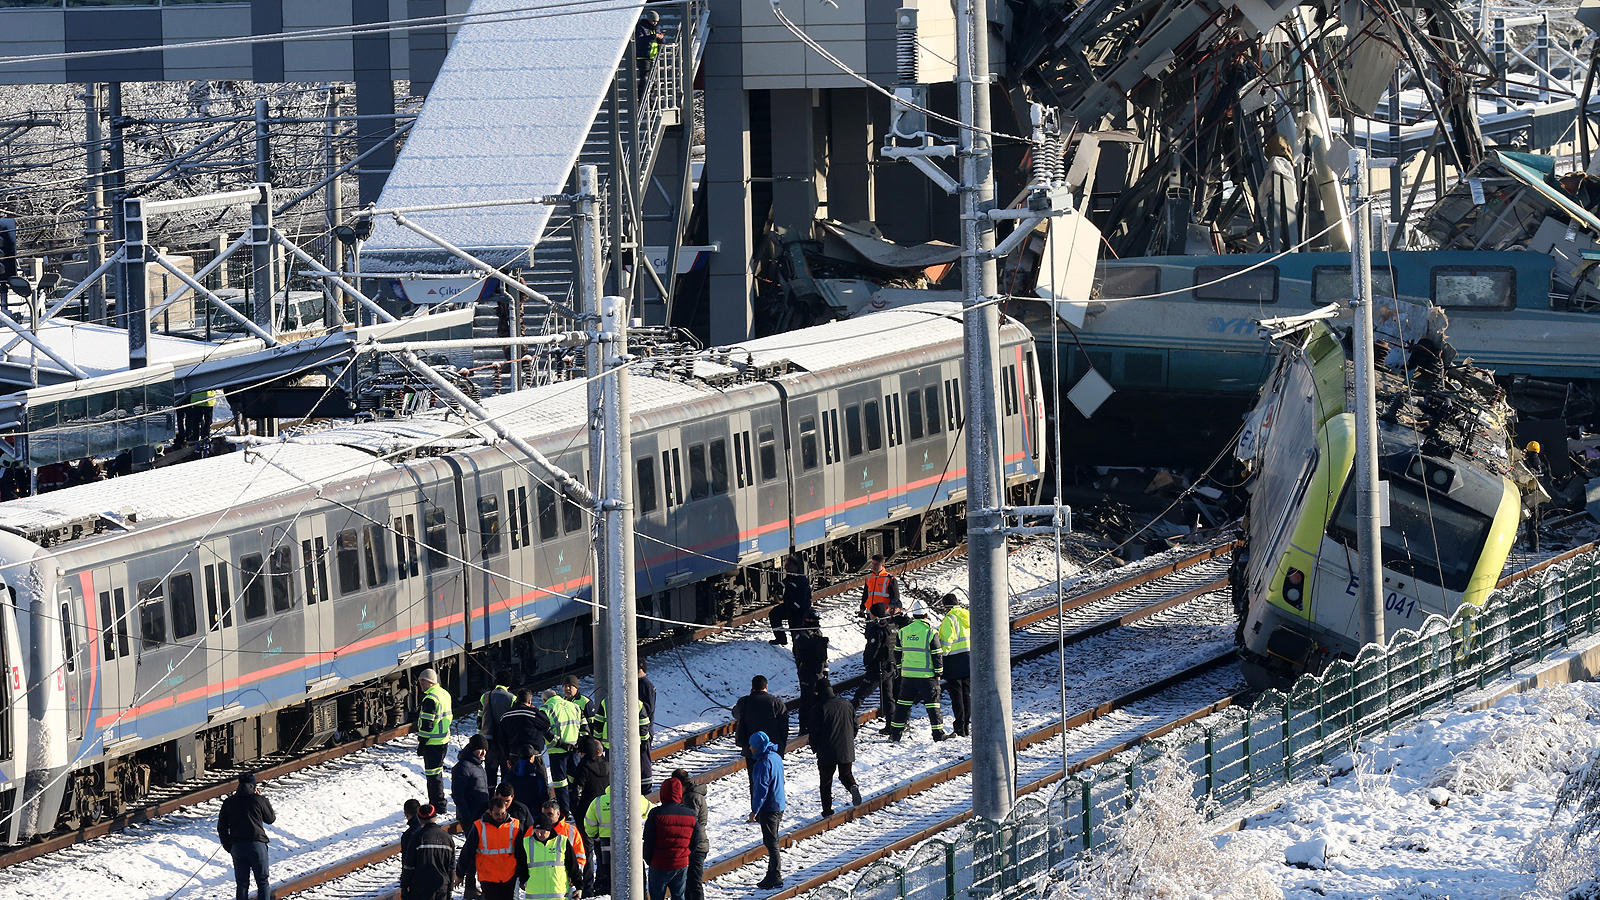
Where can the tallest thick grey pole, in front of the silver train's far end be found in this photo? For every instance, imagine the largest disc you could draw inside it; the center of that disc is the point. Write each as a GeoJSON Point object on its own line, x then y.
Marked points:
{"type": "Point", "coordinates": [994, 765]}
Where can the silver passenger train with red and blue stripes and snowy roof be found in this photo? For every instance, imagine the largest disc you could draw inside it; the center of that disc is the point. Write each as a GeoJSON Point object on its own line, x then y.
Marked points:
{"type": "Point", "coordinates": [270, 600]}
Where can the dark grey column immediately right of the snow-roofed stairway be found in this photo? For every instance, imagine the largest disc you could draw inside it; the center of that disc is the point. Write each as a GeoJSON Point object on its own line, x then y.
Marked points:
{"type": "Point", "coordinates": [729, 179]}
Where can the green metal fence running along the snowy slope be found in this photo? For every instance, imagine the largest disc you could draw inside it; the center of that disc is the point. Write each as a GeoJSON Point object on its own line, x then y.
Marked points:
{"type": "Point", "coordinates": [1239, 755]}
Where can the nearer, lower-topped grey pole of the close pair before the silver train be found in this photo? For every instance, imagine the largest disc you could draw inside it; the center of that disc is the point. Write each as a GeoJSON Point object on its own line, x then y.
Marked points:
{"type": "Point", "coordinates": [617, 510]}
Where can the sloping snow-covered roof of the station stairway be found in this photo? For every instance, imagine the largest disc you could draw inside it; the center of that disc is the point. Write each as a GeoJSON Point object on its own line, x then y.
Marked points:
{"type": "Point", "coordinates": [506, 119]}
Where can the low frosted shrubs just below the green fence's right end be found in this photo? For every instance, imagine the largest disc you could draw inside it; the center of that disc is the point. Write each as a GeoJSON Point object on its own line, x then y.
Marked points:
{"type": "Point", "coordinates": [1514, 753]}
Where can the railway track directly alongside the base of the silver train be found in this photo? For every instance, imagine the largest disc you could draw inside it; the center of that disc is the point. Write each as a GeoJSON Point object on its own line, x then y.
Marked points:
{"type": "Point", "coordinates": [172, 798]}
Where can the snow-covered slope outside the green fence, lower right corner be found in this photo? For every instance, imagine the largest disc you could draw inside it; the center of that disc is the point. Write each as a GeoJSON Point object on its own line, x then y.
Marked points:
{"type": "Point", "coordinates": [1377, 830]}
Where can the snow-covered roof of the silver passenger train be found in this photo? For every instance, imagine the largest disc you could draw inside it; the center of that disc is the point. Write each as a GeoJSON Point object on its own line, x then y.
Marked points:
{"type": "Point", "coordinates": [361, 451]}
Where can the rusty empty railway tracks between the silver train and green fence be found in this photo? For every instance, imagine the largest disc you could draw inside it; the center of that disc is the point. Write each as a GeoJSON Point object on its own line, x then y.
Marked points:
{"type": "Point", "coordinates": [710, 755]}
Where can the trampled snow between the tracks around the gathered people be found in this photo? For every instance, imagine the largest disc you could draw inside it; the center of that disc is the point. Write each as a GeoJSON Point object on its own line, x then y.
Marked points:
{"type": "Point", "coordinates": [340, 810]}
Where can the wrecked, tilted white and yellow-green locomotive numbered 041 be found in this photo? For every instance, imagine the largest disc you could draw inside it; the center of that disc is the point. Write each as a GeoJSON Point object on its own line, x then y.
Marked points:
{"type": "Point", "coordinates": [1457, 491]}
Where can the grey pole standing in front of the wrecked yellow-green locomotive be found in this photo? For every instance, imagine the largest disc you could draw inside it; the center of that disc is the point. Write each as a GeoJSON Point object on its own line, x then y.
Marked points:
{"type": "Point", "coordinates": [1369, 529]}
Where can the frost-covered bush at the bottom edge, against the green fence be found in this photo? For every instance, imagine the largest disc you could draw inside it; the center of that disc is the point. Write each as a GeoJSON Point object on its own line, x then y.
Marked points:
{"type": "Point", "coordinates": [1164, 850]}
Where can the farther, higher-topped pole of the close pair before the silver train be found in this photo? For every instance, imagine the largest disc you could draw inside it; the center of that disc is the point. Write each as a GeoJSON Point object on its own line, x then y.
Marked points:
{"type": "Point", "coordinates": [590, 305]}
